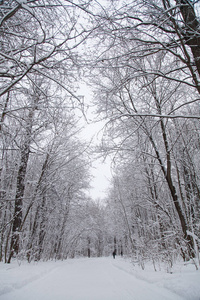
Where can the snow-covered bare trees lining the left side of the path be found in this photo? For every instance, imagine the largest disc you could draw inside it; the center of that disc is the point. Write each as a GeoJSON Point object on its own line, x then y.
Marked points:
{"type": "Point", "coordinates": [44, 167]}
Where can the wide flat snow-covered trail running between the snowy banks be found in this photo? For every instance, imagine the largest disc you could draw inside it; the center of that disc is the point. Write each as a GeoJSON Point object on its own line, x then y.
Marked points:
{"type": "Point", "coordinates": [90, 279]}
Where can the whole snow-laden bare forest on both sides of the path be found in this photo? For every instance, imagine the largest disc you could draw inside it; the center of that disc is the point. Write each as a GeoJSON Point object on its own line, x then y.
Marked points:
{"type": "Point", "coordinates": [141, 60]}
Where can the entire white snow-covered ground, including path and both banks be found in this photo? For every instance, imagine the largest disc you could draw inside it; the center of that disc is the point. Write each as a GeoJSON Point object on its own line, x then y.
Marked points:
{"type": "Point", "coordinates": [96, 279]}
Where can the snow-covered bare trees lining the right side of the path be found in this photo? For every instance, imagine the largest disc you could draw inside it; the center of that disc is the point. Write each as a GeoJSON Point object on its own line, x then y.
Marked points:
{"type": "Point", "coordinates": [147, 87]}
